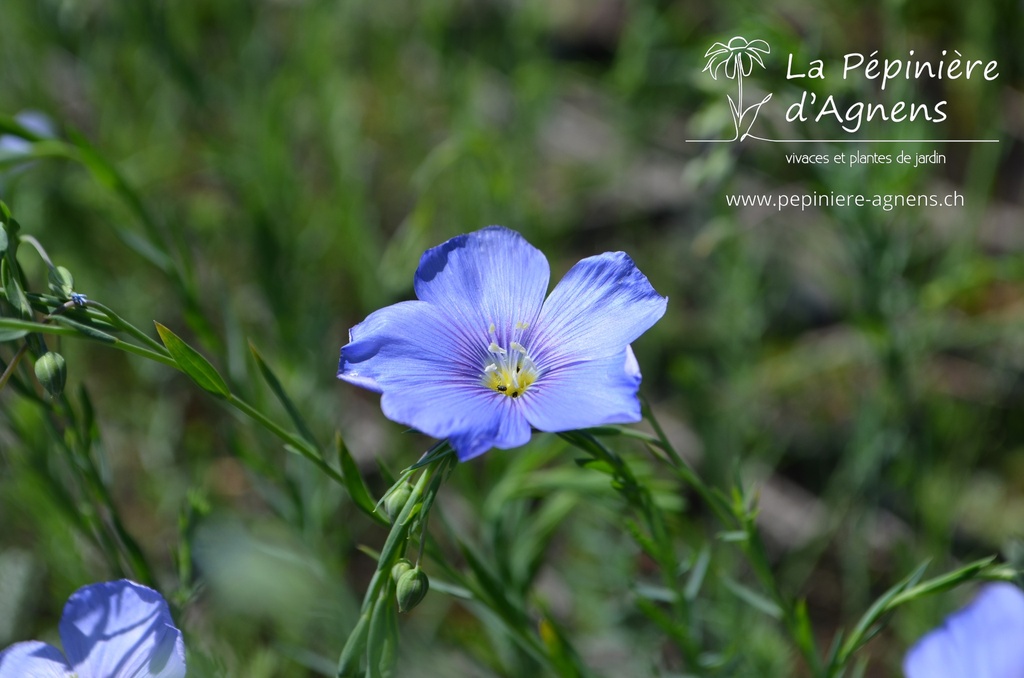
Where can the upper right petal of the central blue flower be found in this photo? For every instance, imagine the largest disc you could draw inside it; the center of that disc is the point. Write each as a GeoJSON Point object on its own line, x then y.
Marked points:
{"type": "Point", "coordinates": [602, 306]}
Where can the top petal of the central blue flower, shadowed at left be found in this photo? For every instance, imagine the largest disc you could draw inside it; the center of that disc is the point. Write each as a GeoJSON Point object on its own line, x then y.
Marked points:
{"type": "Point", "coordinates": [488, 277]}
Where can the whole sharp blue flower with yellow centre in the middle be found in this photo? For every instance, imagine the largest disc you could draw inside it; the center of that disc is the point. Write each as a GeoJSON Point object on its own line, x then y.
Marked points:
{"type": "Point", "coordinates": [482, 357]}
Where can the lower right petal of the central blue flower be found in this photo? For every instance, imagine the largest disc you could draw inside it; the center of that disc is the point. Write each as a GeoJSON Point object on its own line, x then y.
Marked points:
{"type": "Point", "coordinates": [585, 395]}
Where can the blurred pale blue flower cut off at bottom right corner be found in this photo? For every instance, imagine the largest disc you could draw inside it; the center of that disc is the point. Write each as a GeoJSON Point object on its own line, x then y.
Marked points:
{"type": "Point", "coordinates": [984, 641]}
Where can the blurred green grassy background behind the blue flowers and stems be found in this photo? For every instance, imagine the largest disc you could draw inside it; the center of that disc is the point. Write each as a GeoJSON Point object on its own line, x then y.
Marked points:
{"type": "Point", "coordinates": [864, 369]}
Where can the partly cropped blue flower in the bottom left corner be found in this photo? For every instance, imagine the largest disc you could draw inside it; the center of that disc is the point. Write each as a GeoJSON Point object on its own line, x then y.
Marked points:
{"type": "Point", "coordinates": [109, 630]}
